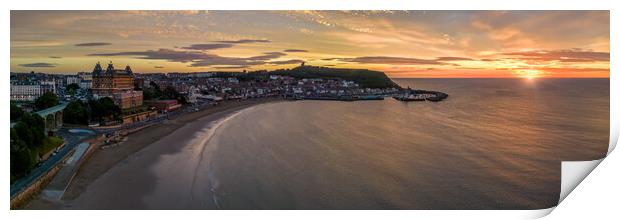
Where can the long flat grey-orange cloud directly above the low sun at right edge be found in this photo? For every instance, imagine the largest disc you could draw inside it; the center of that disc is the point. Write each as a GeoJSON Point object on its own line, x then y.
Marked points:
{"type": "Point", "coordinates": [569, 55]}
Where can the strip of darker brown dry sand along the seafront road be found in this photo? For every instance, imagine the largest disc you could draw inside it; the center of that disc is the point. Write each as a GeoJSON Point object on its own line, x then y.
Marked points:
{"type": "Point", "coordinates": [103, 160]}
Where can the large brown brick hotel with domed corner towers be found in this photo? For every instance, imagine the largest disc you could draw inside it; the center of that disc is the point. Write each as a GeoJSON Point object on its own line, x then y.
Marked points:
{"type": "Point", "coordinates": [116, 84]}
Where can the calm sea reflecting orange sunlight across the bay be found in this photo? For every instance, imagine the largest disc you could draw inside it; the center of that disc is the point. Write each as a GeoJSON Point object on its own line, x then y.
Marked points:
{"type": "Point", "coordinates": [492, 144]}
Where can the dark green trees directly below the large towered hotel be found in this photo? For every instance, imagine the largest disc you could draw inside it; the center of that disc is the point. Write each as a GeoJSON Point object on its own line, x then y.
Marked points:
{"type": "Point", "coordinates": [101, 110]}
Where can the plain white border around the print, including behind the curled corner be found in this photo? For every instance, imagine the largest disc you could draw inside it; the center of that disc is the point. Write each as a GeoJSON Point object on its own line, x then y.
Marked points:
{"type": "Point", "coordinates": [606, 169]}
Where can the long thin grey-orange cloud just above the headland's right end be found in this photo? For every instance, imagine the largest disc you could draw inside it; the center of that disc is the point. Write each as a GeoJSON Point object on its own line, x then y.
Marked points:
{"type": "Point", "coordinates": [390, 60]}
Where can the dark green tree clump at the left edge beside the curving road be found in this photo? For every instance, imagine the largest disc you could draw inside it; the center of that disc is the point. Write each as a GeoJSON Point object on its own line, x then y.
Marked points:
{"type": "Point", "coordinates": [28, 141]}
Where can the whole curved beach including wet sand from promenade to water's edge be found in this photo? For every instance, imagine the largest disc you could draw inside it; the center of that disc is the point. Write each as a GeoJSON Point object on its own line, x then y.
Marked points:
{"type": "Point", "coordinates": [162, 139]}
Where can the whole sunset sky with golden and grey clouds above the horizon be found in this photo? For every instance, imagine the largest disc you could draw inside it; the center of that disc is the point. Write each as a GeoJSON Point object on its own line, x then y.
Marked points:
{"type": "Point", "coordinates": [403, 44]}
